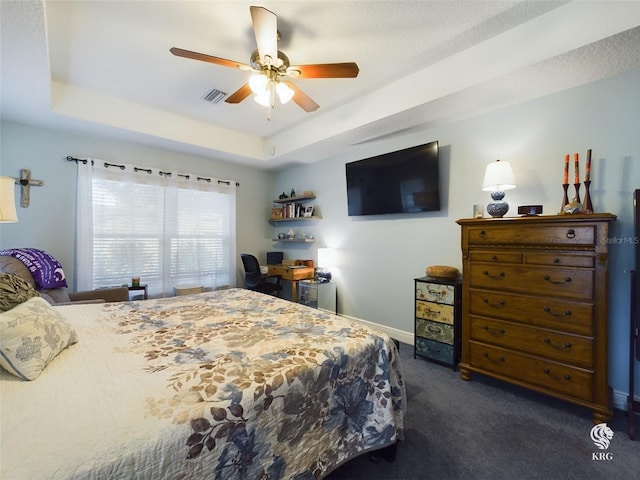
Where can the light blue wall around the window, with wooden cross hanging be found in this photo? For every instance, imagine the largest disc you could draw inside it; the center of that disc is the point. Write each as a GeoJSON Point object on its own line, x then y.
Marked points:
{"type": "Point", "coordinates": [49, 222]}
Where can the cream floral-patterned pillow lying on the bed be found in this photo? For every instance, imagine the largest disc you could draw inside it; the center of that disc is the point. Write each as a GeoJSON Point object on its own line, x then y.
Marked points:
{"type": "Point", "coordinates": [31, 336]}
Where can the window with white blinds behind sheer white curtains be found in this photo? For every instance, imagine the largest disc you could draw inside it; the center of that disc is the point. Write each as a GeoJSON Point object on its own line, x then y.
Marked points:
{"type": "Point", "coordinates": [168, 229]}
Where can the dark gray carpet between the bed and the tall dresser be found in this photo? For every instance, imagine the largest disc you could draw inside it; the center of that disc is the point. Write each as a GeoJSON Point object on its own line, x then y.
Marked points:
{"type": "Point", "coordinates": [486, 429]}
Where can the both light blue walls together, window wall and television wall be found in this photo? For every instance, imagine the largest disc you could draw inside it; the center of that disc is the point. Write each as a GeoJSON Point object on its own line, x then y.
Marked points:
{"type": "Point", "coordinates": [378, 258]}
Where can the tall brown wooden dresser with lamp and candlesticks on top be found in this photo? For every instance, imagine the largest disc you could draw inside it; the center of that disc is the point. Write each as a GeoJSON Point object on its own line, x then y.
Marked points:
{"type": "Point", "coordinates": [534, 305]}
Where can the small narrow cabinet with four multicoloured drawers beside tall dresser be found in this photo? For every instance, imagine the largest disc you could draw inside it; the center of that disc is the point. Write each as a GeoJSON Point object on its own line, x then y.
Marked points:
{"type": "Point", "coordinates": [437, 320]}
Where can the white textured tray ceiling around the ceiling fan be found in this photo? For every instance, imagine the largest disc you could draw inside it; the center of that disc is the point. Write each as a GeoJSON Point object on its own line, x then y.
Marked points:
{"type": "Point", "coordinates": [104, 67]}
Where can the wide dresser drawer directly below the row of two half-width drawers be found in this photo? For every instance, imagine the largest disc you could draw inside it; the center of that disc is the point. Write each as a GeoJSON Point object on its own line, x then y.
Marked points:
{"type": "Point", "coordinates": [557, 282]}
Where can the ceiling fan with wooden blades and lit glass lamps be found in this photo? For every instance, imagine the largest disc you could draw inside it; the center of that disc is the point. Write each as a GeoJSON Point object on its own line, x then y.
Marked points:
{"type": "Point", "coordinates": [272, 68]}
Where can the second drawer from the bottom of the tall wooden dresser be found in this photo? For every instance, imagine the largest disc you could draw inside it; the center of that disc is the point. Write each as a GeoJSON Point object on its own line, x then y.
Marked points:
{"type": "Point", "coordinates": [571, 349]}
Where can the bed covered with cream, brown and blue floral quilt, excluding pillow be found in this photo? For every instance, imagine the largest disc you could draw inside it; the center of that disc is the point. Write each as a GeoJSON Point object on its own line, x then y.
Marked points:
{"type": "Point", "coordinates": [221, 385]}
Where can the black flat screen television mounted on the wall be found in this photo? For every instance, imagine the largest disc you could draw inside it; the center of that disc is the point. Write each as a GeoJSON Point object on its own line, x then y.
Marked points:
{"type": "Point", "coordinates": [404, 181]}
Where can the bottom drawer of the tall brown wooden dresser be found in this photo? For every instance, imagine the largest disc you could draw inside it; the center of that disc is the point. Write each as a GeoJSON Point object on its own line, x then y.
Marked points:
{"type": "Point", "coordinates": [564, 379]}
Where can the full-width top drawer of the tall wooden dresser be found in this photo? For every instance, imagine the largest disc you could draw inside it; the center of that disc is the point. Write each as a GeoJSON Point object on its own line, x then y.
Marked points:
{"type": "Point", "coordinates": [532, 235]}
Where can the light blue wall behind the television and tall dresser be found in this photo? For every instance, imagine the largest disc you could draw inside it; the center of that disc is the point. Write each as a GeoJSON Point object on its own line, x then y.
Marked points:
{"type": "Point", "coordinates": [379, 257]}
